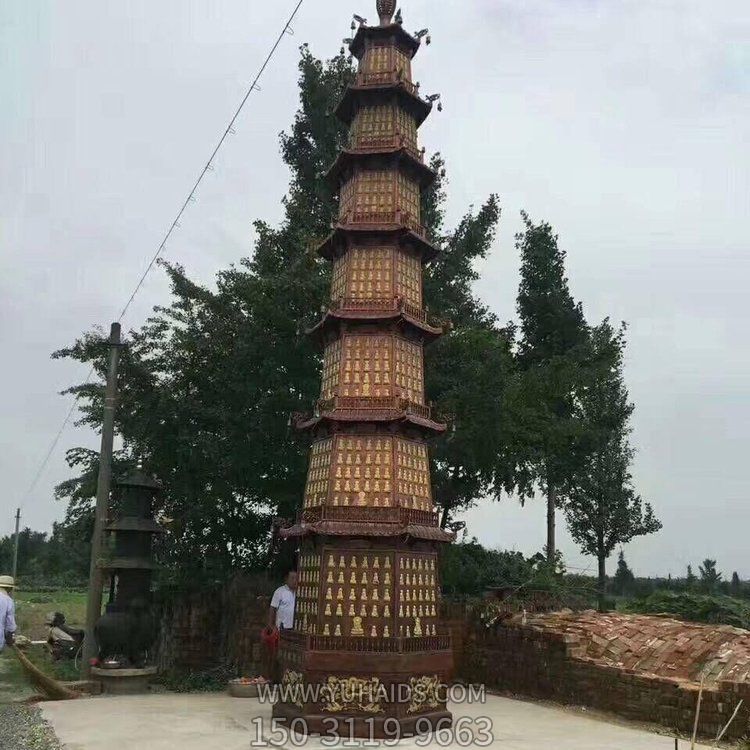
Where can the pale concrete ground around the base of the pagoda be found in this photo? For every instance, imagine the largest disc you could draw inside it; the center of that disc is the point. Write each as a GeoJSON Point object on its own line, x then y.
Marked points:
{"type": "Point", "coordinates": [218, 722]}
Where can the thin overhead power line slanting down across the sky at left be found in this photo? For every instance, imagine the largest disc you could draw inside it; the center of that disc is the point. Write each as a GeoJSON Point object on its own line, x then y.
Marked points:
{"type": "Point", "coordinates": [286, 29]}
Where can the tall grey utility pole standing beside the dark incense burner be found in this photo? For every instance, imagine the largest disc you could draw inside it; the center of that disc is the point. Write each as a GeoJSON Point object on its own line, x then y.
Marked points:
{"type": "Point", "coordinates": [94, 602]}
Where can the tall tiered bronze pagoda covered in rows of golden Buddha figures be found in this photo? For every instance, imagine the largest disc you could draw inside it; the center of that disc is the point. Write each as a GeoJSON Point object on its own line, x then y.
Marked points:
{"type": "Point", "coordinates": [367, 630]}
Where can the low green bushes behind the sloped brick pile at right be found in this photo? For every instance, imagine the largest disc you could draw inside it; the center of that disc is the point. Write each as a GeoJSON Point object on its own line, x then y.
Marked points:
{"type": "Point", "coordinates": [716, 610]}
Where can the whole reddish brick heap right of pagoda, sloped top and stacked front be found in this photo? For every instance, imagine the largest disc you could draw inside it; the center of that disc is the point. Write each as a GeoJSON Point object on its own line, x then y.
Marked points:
{"type": "Point", "coordinates": [641, 667]}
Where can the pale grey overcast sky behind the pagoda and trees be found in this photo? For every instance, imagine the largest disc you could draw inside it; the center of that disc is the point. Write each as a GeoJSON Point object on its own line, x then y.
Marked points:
{"type": "Point", "coordinates": [622, 123]}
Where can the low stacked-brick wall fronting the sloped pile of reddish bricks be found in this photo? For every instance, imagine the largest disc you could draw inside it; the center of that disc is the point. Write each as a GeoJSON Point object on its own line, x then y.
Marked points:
{"type": "Point", "coordinates": [547, 664]}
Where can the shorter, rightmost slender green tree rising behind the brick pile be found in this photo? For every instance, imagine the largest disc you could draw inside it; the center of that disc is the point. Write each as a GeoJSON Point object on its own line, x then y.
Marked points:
{"type": "Point", "coordinates": [602, 509]}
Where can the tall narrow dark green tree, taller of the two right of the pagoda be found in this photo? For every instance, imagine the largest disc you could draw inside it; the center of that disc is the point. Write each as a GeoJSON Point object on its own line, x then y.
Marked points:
{"type": "Point", "coordinates": [550, 350]}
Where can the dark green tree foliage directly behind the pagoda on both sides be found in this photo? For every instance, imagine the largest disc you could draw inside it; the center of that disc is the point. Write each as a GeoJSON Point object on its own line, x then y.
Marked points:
{"type": "Point", "coordinates": [208, 384]}
